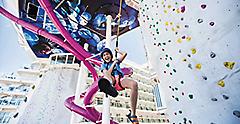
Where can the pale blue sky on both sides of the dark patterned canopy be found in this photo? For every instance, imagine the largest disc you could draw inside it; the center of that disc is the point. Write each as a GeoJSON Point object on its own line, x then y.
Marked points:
{"type": "Point", "coordinates": [14, 57]}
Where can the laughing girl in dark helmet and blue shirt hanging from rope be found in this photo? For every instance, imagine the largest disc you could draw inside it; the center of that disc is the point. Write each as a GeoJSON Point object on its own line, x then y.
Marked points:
{"type": "Point", "coordinates": [111, 69]}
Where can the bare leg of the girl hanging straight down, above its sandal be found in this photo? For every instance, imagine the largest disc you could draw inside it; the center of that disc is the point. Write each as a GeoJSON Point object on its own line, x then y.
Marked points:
{"type": "Point", "coordinates": [131, 84]}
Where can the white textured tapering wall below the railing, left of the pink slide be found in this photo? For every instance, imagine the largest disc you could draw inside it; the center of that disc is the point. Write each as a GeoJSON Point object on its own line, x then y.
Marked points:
{"type": "Point", "coordinates": [47, 103]}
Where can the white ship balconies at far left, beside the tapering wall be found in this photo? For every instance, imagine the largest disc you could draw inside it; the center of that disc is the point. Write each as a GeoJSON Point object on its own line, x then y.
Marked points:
{"type": "Point", "coordinates": [16, 90]}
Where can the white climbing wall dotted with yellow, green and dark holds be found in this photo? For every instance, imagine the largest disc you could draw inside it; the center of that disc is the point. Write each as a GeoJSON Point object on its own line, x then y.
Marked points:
{"type": "Point", "coordinates": [194, 46]}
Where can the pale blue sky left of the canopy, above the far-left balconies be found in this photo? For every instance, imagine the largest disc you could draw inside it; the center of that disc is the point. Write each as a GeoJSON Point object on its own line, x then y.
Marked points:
{"type": "Point", "coordinates": [12, 56]}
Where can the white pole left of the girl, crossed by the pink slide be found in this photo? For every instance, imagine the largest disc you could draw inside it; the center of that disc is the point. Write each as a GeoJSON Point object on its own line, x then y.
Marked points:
{"type": "Point", "coordinates": [81, 86]}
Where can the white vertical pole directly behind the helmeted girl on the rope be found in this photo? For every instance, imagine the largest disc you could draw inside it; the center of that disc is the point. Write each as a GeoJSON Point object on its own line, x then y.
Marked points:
{"type": "Point", "coordinates": [106, 99]}
